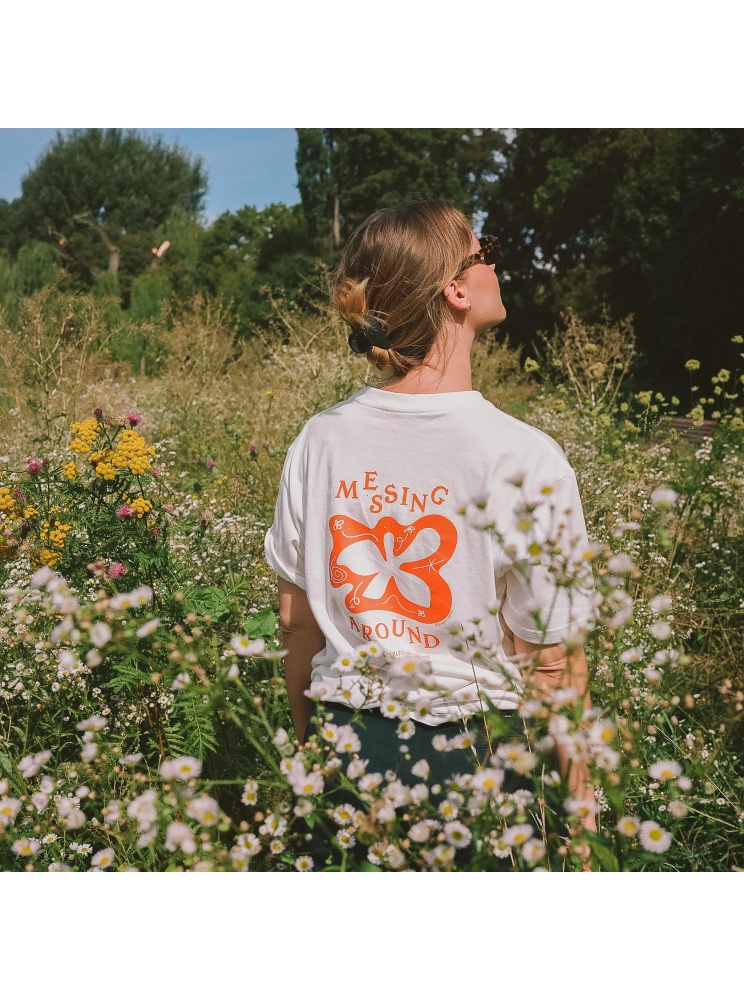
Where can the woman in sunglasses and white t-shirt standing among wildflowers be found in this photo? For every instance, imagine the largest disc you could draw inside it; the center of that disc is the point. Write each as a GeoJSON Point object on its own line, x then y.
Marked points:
{"type": "Point", "coordinates": [370, 542]}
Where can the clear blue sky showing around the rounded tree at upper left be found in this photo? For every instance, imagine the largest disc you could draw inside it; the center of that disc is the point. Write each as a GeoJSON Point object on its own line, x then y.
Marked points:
{"type": "Point", "coordinates": [245, 166]}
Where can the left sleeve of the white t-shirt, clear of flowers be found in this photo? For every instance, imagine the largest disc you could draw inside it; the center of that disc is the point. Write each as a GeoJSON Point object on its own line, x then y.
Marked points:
{"type": "Point", "coordinates": [284, 543]}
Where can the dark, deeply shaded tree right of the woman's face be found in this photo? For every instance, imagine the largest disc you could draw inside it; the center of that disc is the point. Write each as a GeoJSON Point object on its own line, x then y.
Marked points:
{"type": "Point", "coordinates": [642, 221]}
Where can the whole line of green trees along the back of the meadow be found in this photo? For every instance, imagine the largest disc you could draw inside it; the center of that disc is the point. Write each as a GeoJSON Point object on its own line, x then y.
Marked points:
{"type": "Point", "coordinates": [607, 222]}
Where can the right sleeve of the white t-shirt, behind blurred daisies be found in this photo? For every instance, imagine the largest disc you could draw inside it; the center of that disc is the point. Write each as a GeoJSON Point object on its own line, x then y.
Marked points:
{"type": "Point", "coordinates": [547, 594]}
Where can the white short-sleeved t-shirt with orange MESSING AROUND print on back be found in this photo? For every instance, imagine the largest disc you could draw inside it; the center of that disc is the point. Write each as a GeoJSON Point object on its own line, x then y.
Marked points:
{"type": "Point", "coordinates": [379, 518]}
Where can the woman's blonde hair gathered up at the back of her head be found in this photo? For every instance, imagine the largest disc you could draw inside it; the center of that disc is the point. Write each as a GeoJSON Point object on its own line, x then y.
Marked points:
{"type": "Point", "coordinates": [395, 266]}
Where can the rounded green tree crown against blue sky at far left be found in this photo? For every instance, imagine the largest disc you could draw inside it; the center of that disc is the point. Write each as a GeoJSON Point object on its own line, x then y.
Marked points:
{"type": "Point", "coordinates": [91, 187]}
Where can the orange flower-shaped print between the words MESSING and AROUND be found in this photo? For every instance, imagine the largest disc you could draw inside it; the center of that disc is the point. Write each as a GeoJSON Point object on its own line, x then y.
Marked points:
{"type": "Point", "coordinates": [394, 567]}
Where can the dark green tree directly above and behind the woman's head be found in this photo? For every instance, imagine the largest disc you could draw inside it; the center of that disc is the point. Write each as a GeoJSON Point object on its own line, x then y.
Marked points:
{"type": "Point", "coordinates": [346, 174]}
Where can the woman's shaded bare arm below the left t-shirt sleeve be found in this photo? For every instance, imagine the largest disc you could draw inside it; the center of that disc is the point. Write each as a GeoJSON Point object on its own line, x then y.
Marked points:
{"type": "Point", "coordinates": [302, 639]}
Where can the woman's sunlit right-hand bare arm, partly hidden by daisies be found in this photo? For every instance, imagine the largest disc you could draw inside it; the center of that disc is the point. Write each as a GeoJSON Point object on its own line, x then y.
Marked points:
{"type": "Point", "coordinates": [554, 668]}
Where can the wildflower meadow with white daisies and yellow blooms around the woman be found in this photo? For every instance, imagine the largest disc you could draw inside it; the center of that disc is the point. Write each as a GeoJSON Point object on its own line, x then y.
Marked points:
{"type": "Point", "coordinates": [143, 716]}
